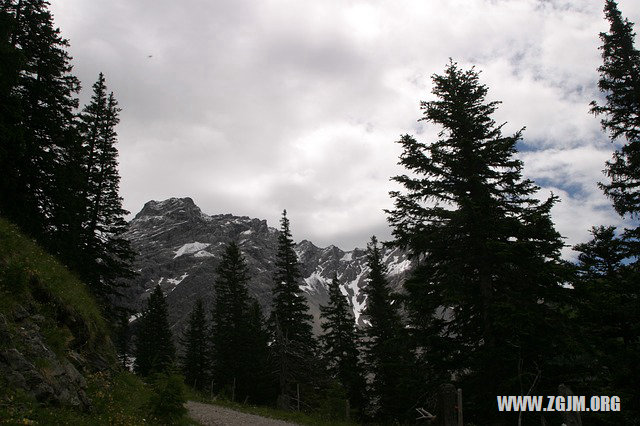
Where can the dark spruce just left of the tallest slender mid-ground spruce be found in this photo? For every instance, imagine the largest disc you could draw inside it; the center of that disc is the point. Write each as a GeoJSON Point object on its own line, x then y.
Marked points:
{"type": "Point", "coordinates": [239, 350]}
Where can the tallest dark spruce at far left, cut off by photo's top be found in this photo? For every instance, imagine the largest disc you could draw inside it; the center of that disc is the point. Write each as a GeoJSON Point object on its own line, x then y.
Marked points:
{"type": "Point", "coordinates": [38, 130]}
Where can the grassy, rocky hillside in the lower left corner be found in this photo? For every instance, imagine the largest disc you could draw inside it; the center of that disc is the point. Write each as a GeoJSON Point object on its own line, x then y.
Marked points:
{"type": "Point", "coordinates": [57, 362]}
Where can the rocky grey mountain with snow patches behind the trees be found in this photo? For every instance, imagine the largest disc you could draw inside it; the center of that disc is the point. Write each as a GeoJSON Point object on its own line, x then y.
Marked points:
{"type": "Point", "coordinates": [179, 248]}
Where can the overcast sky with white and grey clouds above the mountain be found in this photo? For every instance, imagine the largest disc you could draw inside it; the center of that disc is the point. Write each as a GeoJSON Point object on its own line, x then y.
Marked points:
{"type": "Point", "coordinates": [253, 106]}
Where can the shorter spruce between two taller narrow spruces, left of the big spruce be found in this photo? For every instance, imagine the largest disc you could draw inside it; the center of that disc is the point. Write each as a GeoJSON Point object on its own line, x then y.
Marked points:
{"type": "Point", "coordinates": [340, 343]}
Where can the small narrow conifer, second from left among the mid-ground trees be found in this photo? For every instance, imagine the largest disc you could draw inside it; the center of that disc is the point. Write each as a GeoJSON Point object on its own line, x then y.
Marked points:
{"type": "Point", "coordinates": [196, 360]}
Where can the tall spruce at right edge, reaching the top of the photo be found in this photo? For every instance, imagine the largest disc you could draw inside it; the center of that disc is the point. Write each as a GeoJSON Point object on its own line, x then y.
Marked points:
{"type": "Point", "coordinates": [620, 82]}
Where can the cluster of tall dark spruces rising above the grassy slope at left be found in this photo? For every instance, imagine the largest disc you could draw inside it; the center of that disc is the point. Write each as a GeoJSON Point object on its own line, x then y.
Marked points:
{"type": "Point", "coordinates": [59, 165]}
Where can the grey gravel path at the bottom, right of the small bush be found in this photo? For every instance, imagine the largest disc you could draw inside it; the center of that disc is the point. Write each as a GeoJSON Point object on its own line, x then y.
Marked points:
{"type": "Point", "coordinates": [213, 415]}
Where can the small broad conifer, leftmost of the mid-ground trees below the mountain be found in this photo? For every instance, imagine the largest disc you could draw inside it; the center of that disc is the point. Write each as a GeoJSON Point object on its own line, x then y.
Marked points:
{"type": "Point", "coordinates": [155, 351]}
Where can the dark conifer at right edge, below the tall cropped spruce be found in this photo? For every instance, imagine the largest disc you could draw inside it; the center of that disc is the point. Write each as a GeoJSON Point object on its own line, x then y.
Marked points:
{"type": "Point", "coordinates": [609, 313]}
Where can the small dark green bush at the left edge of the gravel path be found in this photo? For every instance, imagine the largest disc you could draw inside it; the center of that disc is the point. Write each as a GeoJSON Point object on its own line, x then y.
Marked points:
{"type": "Point", "coordinates": [168, 399]}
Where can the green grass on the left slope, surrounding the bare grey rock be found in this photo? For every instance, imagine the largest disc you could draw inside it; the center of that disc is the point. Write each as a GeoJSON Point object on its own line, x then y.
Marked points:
{"type": "Point", "coordinates": [26, 274]}
